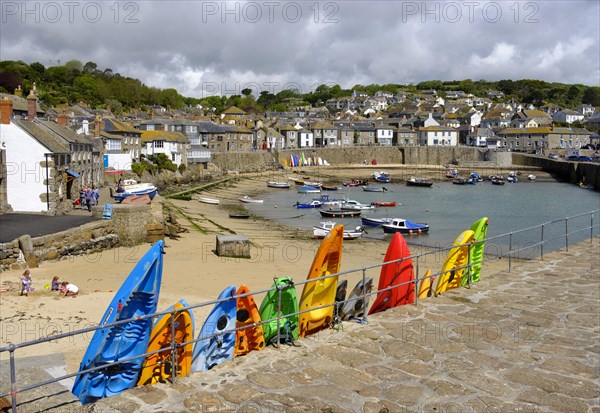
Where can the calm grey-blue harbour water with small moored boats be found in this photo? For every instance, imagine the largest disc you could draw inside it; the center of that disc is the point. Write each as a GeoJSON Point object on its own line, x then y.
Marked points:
{"type": "Point", "coordinates": [450, 209]}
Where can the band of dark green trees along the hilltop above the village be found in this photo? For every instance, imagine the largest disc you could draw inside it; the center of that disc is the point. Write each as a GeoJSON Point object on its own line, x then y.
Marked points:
{"type": "Point", "coordinates": [76, 82]}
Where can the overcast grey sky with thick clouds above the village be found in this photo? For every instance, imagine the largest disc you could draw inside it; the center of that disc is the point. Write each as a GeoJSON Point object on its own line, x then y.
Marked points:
{"type": "Point", "coordinates": [203, 48]}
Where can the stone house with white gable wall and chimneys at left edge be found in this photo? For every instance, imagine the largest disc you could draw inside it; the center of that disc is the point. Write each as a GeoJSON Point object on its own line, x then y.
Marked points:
{"type": "Point", "coordinates": [45, 162]}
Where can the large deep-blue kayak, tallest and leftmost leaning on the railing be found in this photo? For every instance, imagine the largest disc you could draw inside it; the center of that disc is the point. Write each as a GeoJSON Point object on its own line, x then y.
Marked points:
{"type": "Point", "coordinates": [137, 297]}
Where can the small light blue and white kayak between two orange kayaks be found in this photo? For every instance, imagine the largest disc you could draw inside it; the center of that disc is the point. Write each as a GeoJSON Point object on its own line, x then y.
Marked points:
{"type": "Point", "coordinates": [217, 335]}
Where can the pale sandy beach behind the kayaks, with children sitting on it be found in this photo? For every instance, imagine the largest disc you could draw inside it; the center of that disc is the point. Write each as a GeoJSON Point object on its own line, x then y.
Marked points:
{"type": "Point", "coordinates": [192, 270]}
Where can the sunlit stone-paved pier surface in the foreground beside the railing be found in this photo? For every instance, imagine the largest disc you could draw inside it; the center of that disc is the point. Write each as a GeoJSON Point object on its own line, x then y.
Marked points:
{"type": "Point", "coordinates": [524, 341]}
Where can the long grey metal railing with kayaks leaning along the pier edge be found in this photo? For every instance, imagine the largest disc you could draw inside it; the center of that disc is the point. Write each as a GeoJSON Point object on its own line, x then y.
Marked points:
{"type": "Point", "coordinates": [567, 235]}
